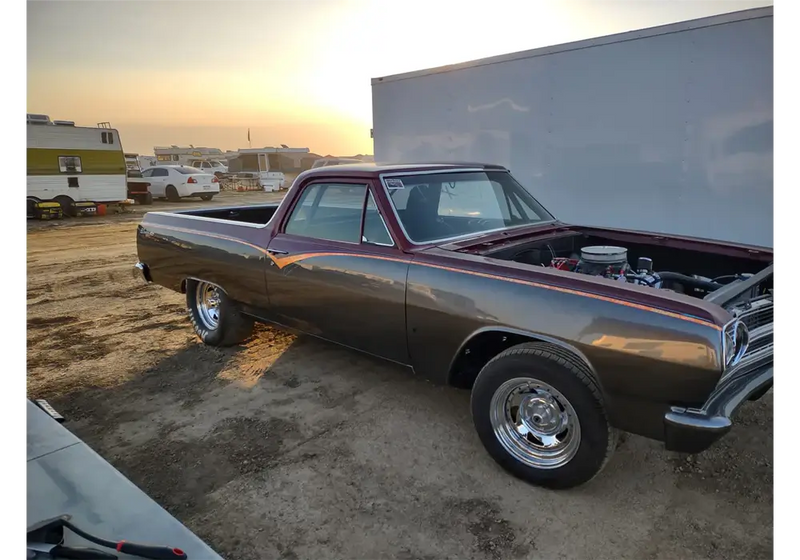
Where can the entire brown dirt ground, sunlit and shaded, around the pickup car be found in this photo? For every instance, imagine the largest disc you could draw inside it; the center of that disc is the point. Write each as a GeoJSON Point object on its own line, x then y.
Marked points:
{"type": "Point", "coordinates": [292, 448]}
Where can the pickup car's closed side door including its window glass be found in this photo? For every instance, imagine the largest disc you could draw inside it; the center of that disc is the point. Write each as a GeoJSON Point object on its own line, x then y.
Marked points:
{"type": "Point", "coordinates": [335, 271]}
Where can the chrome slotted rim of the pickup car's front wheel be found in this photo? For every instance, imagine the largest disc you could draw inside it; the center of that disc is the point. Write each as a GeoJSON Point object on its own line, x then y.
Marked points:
{"type": "Point", "coordinates": [535, 423]}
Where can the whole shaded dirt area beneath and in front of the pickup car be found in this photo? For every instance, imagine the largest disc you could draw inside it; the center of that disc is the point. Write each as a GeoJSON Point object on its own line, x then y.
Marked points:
{"type": "Point", "coordinates": [245, 444]}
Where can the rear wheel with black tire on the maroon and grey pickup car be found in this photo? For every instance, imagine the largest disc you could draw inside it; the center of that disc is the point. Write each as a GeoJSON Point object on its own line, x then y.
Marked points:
{"type": "Point", "coordinates": [232, 327]}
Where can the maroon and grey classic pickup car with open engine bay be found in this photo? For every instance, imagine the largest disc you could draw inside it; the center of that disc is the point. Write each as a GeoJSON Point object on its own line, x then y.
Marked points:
{"type": "Point", "coordinates": [565, 334]}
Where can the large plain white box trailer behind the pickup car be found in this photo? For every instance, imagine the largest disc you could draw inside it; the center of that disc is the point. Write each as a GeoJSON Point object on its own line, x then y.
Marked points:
{"type": "Point", "coordinates": [668, 129]}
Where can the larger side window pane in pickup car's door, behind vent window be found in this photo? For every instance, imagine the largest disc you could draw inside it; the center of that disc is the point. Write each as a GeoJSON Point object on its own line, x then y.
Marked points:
{"type": "Point", "coordinates": [326, 211]}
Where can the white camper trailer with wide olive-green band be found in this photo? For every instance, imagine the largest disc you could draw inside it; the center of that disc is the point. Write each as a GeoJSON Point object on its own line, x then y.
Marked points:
{"type": "Point", "coordinates": [65, 163]}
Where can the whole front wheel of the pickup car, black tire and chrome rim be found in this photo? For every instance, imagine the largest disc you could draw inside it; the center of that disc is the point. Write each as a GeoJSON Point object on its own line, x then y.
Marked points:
{"type": "Point", "coordinates": [540, 415]}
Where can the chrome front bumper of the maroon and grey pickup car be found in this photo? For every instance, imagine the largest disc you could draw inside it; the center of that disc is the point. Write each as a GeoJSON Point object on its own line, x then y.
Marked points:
{"type": "Point", "coordinates": [692, 430]}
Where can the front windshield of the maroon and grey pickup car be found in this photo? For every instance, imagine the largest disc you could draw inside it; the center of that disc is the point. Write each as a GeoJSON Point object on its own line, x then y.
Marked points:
{"type": "Point", "coordinates": [435, 207]}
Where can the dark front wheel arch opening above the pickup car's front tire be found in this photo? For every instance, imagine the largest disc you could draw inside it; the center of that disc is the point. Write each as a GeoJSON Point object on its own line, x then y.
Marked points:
{"type": "Point", "coordinates": [487, 342]}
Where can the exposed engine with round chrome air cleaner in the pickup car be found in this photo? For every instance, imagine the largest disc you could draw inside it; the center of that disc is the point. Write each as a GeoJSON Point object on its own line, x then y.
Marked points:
{"type": "Point", "coordinates": [612, 262]}
